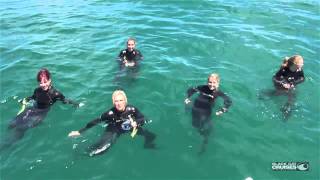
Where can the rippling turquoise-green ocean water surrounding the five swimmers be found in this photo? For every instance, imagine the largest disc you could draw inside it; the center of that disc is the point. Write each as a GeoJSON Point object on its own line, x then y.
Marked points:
{"type": "Point", "coordinates": [183, 42]}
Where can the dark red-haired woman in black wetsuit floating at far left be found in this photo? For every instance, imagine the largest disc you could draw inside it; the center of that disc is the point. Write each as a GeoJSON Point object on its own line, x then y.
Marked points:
{"type": "Point", "coordinates": [44, 96]}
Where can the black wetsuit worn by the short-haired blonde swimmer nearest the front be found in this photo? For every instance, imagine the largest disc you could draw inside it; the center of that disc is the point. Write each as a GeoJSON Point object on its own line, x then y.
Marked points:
{"type": "Point", "coordinates": [118, 123]}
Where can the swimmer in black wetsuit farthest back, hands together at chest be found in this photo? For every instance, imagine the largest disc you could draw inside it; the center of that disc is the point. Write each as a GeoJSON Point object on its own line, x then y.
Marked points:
{"type": "Point", "coordinates": [130, 57]}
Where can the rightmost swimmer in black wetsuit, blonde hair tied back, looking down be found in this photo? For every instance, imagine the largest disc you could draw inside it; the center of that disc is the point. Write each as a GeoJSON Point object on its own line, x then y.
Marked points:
{"type": "Point", "coordinates": [285, 81]}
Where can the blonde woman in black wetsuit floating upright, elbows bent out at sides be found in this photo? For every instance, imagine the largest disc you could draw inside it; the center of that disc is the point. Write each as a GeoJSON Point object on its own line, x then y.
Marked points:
{"type": "Point", "coordinates": [202, 107]}
